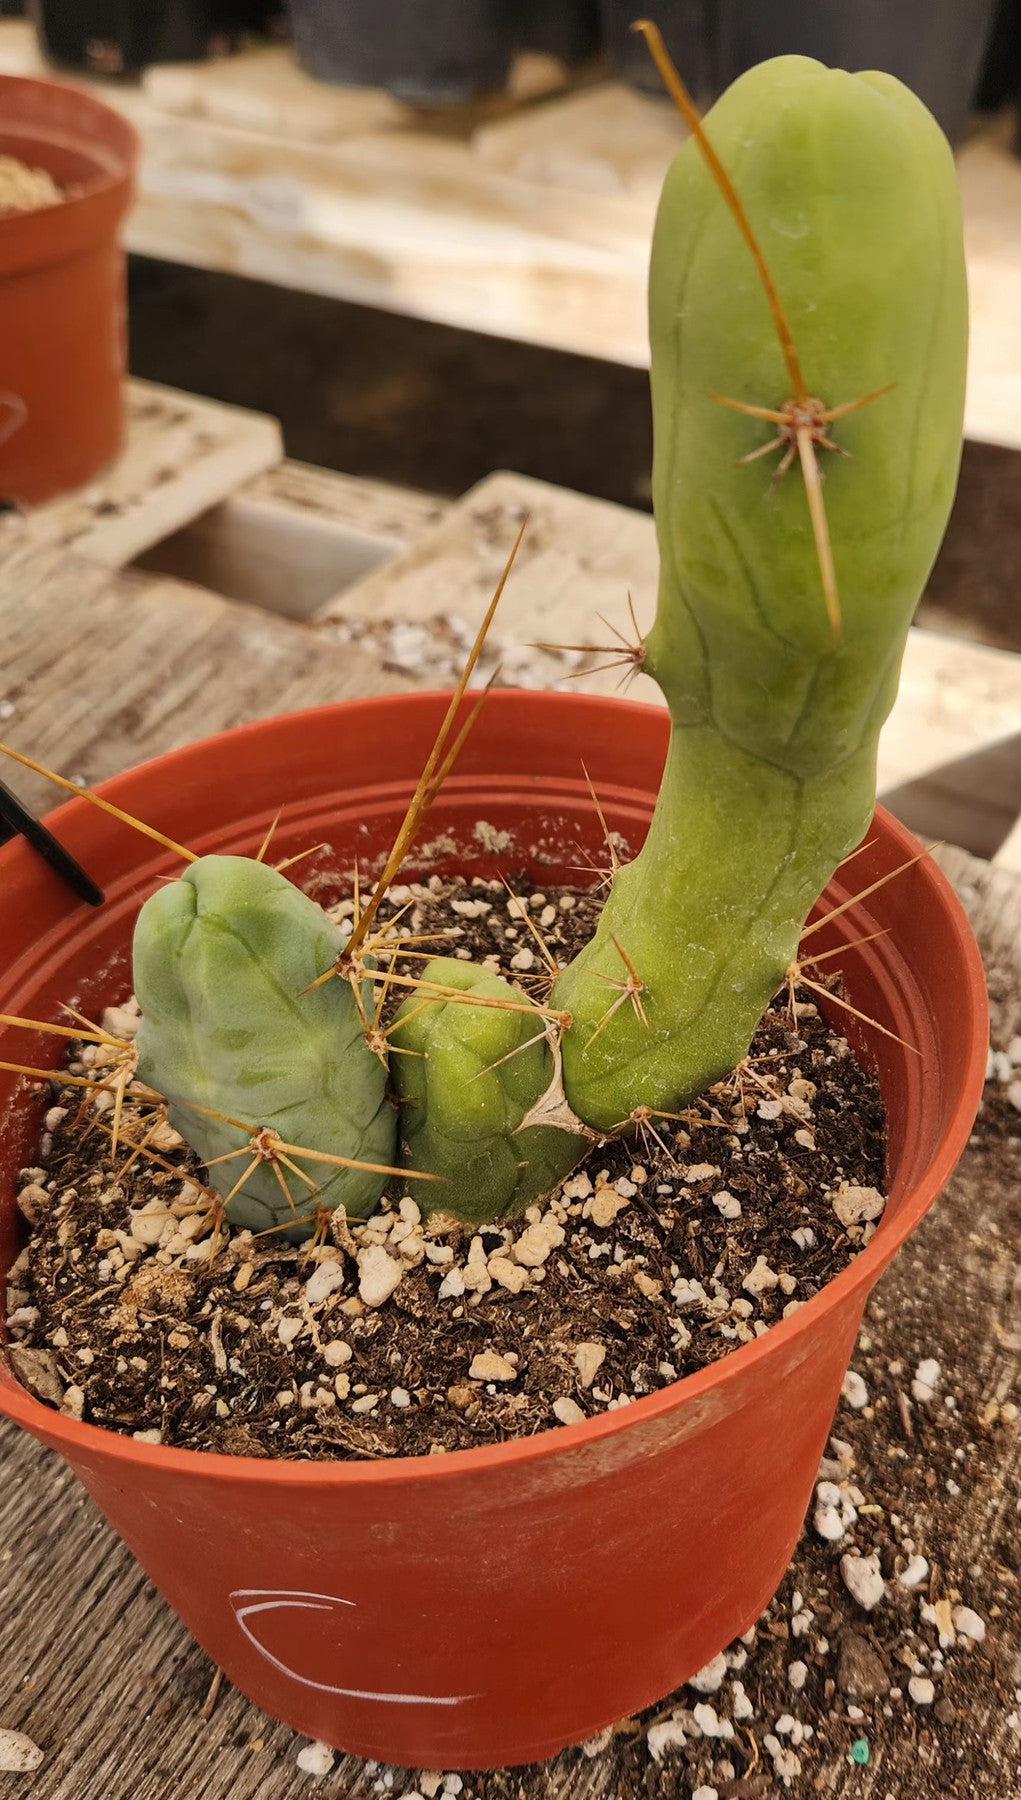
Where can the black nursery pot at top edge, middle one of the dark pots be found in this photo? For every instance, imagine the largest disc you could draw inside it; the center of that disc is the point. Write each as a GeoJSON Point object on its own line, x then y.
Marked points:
{"type": "Point", "coordinates": [428, 53]}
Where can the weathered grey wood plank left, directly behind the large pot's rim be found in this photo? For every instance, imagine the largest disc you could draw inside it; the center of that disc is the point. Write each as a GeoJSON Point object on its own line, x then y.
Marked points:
{"type": "Point", "coordinates": [102, 670]}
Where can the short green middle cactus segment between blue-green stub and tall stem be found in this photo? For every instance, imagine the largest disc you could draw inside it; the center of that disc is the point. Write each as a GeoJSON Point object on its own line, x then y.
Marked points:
{"type": "Point", "coordinates": [467, 1093]}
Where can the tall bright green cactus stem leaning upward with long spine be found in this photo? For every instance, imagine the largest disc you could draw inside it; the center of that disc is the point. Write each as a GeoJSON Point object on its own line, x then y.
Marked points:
{"type": "Point", "coordinates": [851, 192]}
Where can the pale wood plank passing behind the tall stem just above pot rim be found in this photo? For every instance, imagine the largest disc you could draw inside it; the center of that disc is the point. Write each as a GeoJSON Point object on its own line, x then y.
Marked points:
{"type": "Point", "coordinates": [583, 557]}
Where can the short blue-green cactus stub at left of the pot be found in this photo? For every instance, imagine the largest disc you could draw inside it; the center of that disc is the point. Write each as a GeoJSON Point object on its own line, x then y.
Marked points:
{"type": "Point", "coordinates": [224, 960]}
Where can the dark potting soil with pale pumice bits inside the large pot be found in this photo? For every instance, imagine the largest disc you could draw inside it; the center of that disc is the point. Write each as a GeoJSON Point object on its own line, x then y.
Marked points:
{"type": "Point", "coordinates": [392, 1338]}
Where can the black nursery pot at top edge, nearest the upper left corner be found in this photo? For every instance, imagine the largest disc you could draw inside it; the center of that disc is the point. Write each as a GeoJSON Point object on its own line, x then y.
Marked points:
{"type": "Point", "coordinates": [122, 37]}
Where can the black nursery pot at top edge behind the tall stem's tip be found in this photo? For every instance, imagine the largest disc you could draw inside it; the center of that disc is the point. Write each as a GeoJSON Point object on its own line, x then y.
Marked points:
{"type": "Point", "coordinates": [934, 46]}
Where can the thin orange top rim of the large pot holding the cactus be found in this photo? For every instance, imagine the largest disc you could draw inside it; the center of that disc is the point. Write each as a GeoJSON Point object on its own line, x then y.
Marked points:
{"type": "Point", "coordinates": [78, 1439]}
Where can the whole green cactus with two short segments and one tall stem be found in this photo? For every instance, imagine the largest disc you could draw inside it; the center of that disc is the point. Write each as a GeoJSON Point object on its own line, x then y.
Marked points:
{"type": "Point", "coordinates": [809, 336]}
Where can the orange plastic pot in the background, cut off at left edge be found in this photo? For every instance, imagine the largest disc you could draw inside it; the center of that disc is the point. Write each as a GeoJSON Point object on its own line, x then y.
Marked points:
{"type": "Point", "coordinates": [62, 292]}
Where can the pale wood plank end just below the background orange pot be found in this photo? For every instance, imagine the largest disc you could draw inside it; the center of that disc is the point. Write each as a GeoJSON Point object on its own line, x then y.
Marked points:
{"type": "Point", "coordinates": [183, 454]}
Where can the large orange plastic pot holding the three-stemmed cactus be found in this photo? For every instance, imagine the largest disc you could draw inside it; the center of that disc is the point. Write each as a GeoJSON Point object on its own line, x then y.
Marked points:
{"type": "Point", "coordinates": [485, 1606]}
